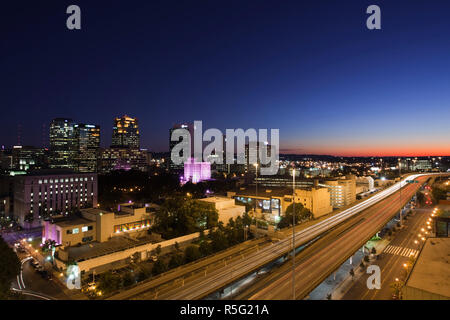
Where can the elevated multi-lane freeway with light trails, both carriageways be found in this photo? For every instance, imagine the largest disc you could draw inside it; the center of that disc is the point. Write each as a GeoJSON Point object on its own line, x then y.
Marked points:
{"type": "Point", "coordinates": [226, 275]}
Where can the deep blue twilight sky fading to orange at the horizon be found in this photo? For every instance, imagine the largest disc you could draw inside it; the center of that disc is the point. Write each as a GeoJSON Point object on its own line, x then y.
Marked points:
{"type": "Point", "coordinates": [309, 68]}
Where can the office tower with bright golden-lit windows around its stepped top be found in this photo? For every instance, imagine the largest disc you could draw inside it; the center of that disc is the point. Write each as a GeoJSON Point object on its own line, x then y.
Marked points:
{"type": "Point", "coordinates": [125, 133]}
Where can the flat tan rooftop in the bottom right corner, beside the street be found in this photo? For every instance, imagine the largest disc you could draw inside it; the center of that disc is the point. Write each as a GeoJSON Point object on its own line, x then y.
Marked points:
{"type": "Point", "coordinates": [431, 272]}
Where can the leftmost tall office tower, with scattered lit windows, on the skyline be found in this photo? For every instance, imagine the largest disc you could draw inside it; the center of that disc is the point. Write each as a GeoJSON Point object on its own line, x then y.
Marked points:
{"type": "Point", "coordinates": [62, 144]}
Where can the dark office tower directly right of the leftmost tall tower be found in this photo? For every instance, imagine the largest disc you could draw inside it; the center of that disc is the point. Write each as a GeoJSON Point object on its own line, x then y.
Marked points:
{"type": "Point", "coordinates": [88, 144]}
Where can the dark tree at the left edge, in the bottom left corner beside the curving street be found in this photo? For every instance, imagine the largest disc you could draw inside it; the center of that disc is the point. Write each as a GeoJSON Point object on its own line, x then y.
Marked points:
{"type": "Point", "coordinates": [9, 269]}
